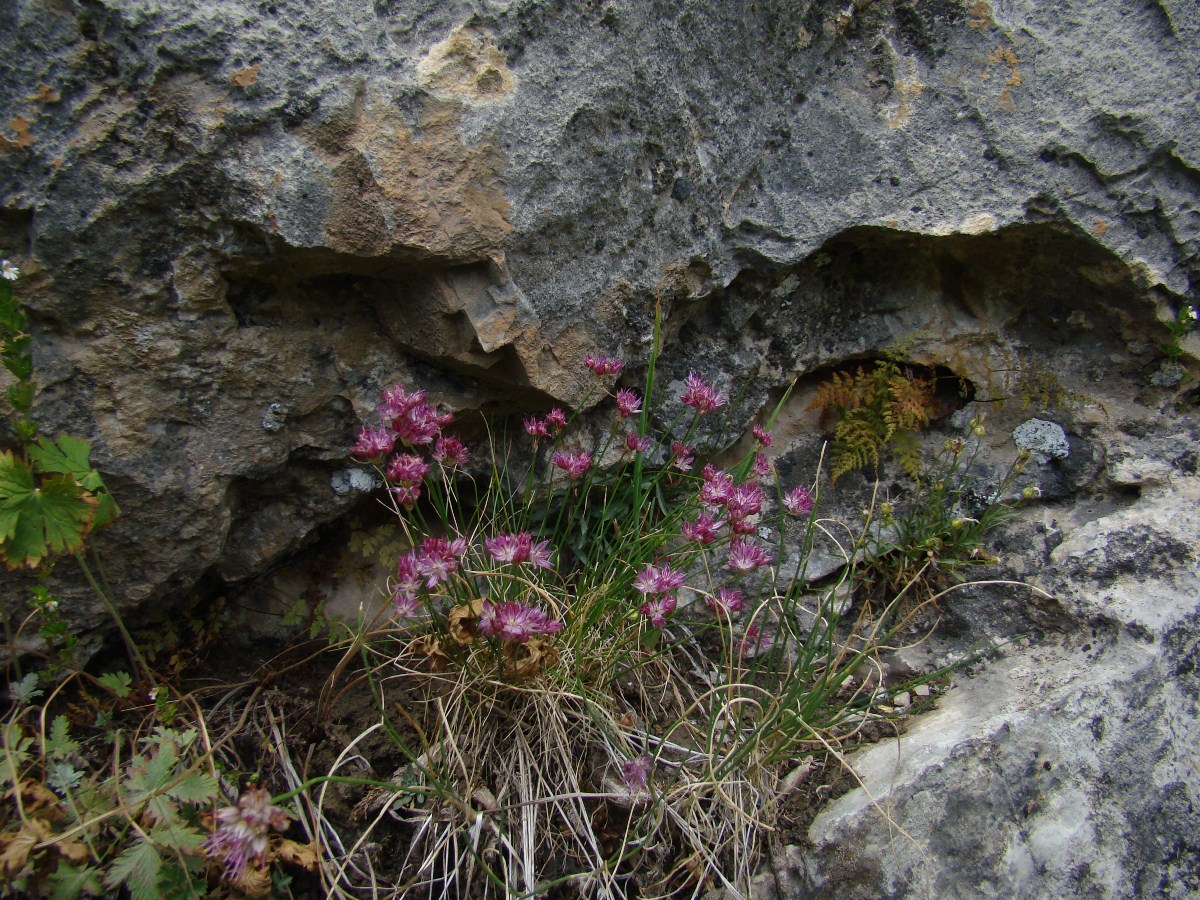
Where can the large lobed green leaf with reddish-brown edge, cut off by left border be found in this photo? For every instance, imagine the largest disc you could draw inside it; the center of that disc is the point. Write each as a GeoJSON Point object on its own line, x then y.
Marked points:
{"type": "Point", "coordinates": [40, 519]}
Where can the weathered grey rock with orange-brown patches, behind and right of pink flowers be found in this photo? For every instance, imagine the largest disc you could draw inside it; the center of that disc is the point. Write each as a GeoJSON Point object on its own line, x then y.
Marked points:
{"type": "Point", "coordinates": [239, 221]}
